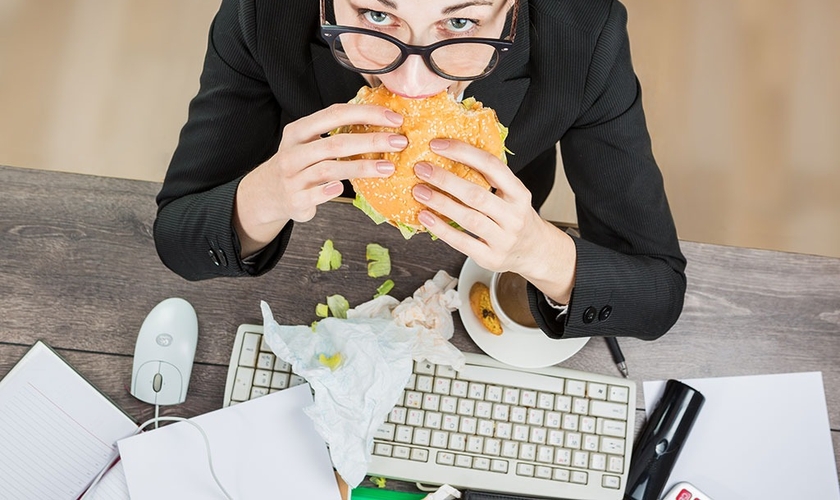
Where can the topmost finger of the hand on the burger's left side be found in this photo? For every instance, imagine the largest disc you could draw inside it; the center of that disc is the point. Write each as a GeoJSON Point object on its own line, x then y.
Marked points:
{"type": "Point", "coordinates": [311, 127]}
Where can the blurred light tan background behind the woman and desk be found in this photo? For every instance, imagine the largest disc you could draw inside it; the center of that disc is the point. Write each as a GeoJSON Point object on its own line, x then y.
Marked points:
{"type": "Point", "coordinates": [742, 99]}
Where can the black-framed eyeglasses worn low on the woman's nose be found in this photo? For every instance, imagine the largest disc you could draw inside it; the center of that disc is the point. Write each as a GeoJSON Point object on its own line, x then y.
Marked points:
{"type": "Point", "coordinates": [371, 52]}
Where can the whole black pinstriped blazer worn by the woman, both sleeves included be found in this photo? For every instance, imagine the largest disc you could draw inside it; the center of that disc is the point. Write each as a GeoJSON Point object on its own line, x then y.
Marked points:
{"type": "Point", "coordinates": [569, 78]}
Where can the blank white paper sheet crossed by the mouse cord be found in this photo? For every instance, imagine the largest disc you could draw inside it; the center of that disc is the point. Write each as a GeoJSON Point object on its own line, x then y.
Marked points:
{"type": "Point", "coordinates": [263, 448]}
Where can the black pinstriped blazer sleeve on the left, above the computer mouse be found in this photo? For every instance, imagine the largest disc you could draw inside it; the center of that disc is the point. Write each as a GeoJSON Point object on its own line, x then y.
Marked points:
{"type": "Point", "coordinates": [233, 126]}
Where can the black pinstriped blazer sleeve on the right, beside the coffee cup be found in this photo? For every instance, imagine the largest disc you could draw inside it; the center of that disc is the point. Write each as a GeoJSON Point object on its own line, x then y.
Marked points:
{"type": "Point", "coordinates": [630, 275]}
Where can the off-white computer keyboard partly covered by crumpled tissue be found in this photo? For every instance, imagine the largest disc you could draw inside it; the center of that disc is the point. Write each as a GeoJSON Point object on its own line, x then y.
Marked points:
{"type": "Point", "coordinates": [551, 432]}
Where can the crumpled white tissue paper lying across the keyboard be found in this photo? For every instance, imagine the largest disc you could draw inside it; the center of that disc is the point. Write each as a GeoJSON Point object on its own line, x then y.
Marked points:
{"type": "Point", "coordinates": [377, 344]}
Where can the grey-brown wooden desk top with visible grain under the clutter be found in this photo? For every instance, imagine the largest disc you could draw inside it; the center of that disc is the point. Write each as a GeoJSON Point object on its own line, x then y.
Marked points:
{"type": "Point", "coordinates": [78, 269]}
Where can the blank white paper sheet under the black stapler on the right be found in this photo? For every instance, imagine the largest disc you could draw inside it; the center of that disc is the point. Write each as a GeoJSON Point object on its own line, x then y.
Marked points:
{"type": "Point", "coordinates": [765, 437]}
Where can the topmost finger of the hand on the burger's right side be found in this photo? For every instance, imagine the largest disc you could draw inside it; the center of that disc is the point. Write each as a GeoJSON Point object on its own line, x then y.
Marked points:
{"type": "Point", "coordinates": [495, 171]}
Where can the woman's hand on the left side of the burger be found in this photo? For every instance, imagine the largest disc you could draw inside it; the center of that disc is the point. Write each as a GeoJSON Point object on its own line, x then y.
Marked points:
{"type": "Point", "coordinates": [306, 172]}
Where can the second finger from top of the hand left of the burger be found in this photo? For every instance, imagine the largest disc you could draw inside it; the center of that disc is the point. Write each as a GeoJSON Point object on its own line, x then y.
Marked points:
{"type": "Point", "coordinates": [345, 146]}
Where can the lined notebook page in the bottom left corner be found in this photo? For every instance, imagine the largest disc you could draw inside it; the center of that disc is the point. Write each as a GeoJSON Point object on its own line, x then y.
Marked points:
{"type": "Point", "coordinates": [57, 431]}
